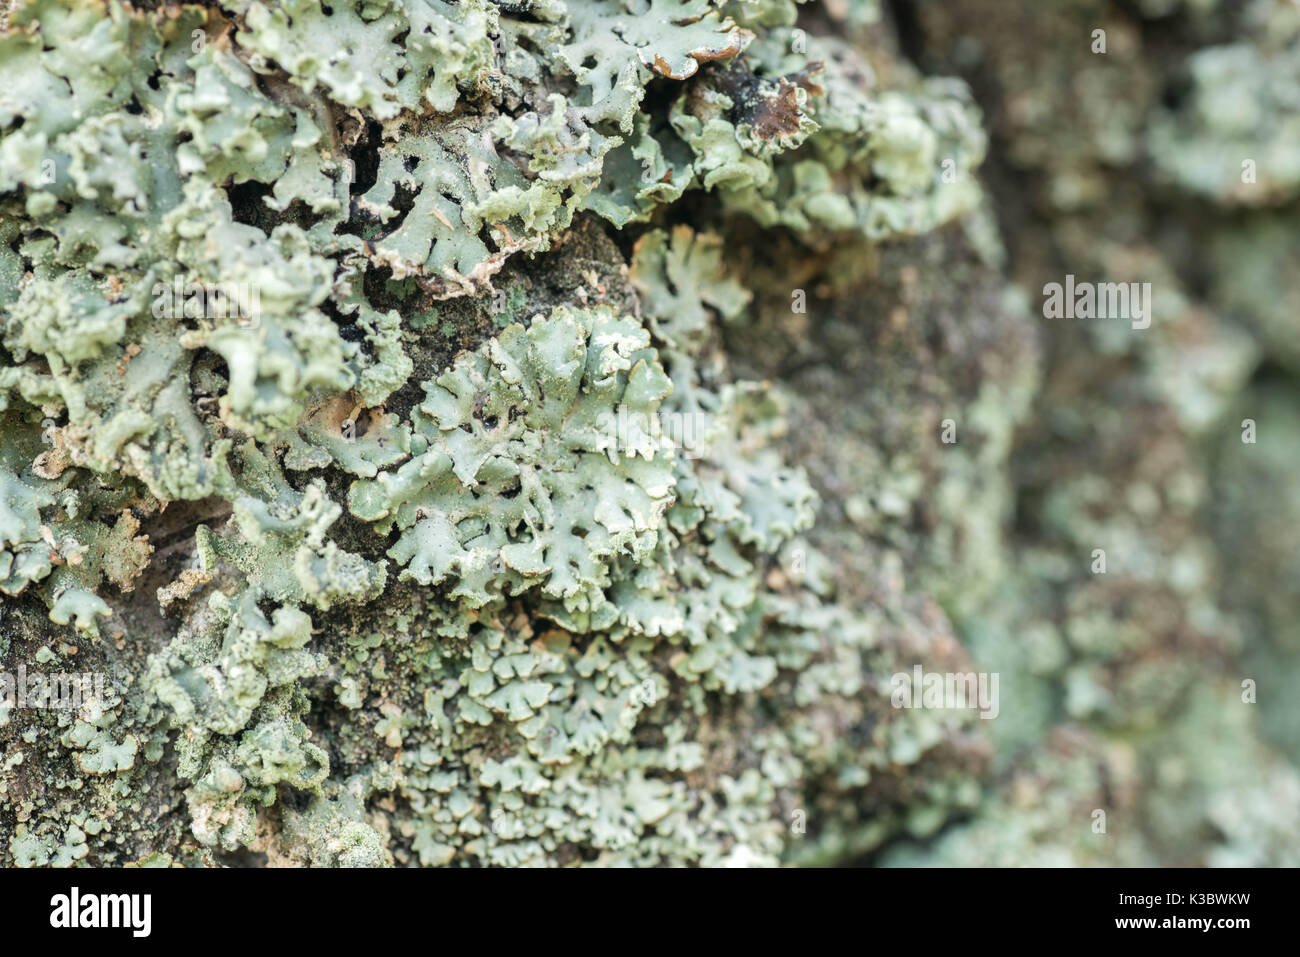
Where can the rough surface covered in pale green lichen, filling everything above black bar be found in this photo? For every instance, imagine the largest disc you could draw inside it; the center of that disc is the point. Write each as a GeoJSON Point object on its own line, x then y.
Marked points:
{"type": "Point", "coordinates": [509, 432]}
